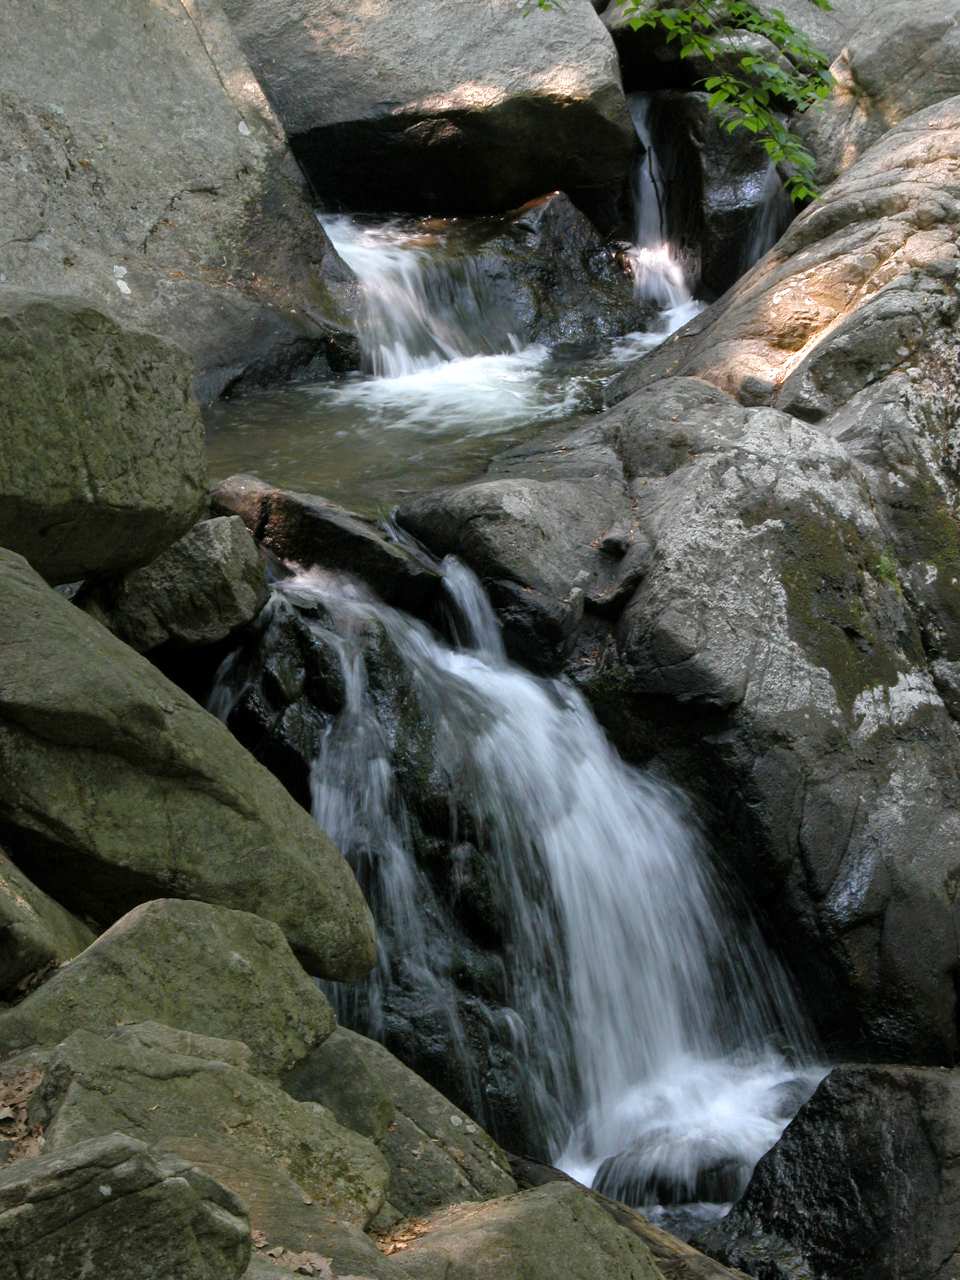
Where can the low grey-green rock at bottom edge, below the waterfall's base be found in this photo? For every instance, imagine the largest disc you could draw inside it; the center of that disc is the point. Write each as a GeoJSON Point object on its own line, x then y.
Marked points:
{"type": "Point", "coordinates": [527, 1236]}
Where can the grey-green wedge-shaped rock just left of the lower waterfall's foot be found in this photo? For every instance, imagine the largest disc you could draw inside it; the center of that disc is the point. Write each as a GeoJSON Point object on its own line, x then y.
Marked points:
{"type": "Point", "coordinates": [437, 1154]}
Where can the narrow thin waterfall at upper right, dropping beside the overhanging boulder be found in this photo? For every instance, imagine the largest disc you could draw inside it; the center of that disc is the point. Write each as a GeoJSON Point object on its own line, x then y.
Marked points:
{"type": "Point", "coordinates": [659, 273]}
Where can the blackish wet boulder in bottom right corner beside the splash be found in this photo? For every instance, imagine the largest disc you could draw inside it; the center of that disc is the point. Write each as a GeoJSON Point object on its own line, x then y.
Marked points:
{"type": "Point", "coordinates": [862, 1185]}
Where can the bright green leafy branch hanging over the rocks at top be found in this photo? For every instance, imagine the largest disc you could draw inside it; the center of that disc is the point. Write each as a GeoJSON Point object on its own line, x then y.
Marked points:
{"type": "Point", "coordinates": [749, 89]}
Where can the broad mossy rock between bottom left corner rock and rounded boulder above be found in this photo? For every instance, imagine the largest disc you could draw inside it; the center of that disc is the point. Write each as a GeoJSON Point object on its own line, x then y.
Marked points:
{"type": "Point", "coordinates": [290, 1163]}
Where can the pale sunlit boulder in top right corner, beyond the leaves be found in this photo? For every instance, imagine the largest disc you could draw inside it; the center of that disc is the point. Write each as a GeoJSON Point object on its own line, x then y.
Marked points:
{"type": "Point", "coordinates": [872, 93]}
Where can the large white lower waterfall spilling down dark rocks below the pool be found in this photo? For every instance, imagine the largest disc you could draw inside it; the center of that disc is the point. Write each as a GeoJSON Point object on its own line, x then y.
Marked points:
{"type": "Point", "coordinates": [657, 1048]}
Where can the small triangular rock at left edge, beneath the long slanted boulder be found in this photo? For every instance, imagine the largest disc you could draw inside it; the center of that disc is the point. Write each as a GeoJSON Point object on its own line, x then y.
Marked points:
{"type": "Point", "coordinates": [35, 931]}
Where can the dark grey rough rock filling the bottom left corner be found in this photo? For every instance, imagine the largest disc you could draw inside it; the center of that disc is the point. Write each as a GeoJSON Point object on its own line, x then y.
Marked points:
{"type": "Point", "coordinates": [104, 1206]}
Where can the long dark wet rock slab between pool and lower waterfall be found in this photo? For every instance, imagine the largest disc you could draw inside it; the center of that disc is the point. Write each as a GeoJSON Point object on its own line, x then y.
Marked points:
{"type": "Point", "coordinates": [313, 532]}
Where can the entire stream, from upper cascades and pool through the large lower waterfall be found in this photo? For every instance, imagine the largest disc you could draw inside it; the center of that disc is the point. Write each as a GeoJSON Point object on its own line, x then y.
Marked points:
{"type": "Point", "coordinates": [627, 1008]}
